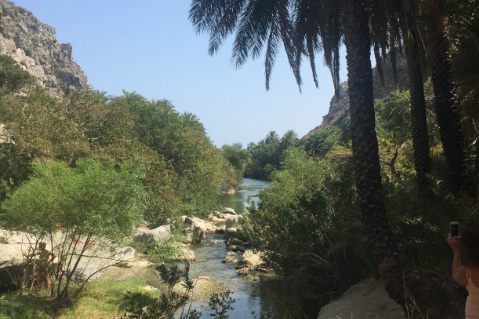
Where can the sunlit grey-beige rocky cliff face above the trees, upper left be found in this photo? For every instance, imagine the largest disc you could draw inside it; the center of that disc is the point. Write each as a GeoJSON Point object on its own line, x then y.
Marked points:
{"type": "Point", "coordinates": [35, 47]}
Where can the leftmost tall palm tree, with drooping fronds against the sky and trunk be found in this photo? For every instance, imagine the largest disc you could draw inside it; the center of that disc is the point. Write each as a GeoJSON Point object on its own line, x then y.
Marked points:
{"type": "Point", "coordinates": [320, 24]}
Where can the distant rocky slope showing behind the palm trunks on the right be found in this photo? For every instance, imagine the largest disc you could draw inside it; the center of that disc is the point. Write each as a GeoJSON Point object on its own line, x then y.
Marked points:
{"type": "Point", "coordinates": [339, 108]}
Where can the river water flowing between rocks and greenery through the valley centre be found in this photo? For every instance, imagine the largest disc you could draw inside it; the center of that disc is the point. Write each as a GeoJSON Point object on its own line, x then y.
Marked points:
{"type": "Point", "coordinates": [264, 296]}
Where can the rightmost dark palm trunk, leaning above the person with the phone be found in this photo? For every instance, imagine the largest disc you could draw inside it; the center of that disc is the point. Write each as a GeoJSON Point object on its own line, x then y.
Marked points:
{"type": "Point", "coordinates": [446, 107]}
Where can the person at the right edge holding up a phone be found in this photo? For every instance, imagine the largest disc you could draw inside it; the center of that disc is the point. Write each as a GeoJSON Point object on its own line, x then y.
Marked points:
{"type": "Point", "coordinates": [467, 274]}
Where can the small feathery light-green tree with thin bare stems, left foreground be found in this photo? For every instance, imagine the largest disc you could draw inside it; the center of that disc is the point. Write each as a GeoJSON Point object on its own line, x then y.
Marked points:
{"type": "Point", "coordinates": [94, 203]}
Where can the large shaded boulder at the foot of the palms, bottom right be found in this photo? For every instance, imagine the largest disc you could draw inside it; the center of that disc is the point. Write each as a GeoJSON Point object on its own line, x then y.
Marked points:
{"type": "Point", "coordinates": [366, 300]}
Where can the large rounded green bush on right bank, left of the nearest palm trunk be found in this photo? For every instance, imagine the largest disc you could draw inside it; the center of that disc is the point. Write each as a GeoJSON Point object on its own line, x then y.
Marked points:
{"type": "Point", "coordinates": [308, 224]}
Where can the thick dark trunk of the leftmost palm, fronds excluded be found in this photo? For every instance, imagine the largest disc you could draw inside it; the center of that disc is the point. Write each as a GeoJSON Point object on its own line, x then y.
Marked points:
{"type": "Point", "coordinates": [364, 140]}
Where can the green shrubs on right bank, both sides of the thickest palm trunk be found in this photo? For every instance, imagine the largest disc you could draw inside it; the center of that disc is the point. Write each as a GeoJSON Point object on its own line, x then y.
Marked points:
{"type": "Point", "coordinates": [309, 224]}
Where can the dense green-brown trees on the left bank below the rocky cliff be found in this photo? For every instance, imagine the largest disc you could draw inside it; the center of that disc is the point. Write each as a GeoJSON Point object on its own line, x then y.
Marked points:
{"type": "Point", "coordinates": [184, 172]}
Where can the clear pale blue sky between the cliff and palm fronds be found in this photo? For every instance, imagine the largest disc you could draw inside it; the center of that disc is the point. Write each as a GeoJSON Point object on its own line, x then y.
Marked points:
{"type": "Point", "coordinates": [151, 48]}
